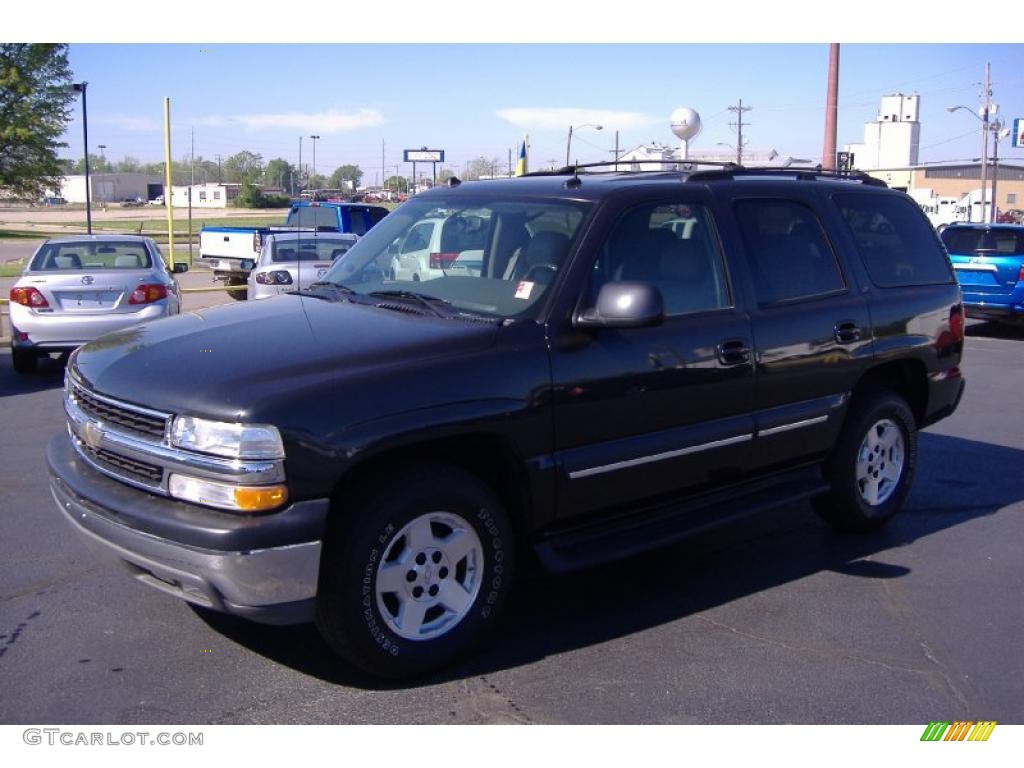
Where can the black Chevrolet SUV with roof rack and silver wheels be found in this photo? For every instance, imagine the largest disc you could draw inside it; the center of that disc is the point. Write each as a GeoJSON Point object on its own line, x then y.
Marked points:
{"type": "Point", "coordinates": [582, 367]}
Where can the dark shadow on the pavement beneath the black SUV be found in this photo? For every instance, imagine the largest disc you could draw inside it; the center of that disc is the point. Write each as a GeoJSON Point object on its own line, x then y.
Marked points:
{"type": "Point", "coordinates": [551, 616]}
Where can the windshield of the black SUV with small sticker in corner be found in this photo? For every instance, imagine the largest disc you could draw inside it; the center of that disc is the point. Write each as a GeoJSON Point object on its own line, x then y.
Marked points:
{"type": "Point", "coordinates": [484, 257]}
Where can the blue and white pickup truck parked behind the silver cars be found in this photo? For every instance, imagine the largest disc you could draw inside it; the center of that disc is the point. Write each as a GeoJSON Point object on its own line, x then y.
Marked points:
{"type": "Point", "coordinates": [230, 251]}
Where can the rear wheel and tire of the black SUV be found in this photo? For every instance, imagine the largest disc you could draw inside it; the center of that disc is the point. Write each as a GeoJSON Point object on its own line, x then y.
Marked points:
{"type": "Point", "coordinates": [863, 498]}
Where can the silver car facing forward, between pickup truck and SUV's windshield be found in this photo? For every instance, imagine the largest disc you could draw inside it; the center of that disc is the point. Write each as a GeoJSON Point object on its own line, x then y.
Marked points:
{"type": "Point", "coordinates": [293, 262]}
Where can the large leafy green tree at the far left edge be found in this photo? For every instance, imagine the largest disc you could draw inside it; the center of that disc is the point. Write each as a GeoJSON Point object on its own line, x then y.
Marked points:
{"type": "Point", "coordinates": [35, 108]}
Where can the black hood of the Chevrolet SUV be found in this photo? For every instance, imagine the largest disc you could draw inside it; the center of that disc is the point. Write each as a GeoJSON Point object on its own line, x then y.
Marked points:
{"type": "Point", "coordinates": [229, 362]}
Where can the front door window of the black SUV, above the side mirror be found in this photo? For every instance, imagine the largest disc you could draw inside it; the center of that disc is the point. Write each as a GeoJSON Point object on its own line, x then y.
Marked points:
{"type": "Point", "coordinates": [674, 248]}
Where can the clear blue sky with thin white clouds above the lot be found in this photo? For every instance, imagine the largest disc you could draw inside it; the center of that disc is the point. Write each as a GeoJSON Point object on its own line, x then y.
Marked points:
{"type": "Point", "coordinates": [480, 100]}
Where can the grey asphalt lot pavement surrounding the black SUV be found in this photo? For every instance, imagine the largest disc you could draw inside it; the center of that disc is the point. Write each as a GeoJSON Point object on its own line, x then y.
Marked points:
{"type": "Point", "coordinates": [772, 620]}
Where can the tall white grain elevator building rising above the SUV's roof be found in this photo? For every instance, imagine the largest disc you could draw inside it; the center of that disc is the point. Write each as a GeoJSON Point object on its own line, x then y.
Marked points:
{"type": "Point", "coordinates": [892, 140]}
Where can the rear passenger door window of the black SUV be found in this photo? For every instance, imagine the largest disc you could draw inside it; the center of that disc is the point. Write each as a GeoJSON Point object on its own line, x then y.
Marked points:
{"type": "Point", "coordinates": [789, 254]}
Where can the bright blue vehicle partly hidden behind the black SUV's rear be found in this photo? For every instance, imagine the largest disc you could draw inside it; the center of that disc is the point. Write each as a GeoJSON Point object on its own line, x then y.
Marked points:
{"type": "Point", "coordinates": [989, 261]}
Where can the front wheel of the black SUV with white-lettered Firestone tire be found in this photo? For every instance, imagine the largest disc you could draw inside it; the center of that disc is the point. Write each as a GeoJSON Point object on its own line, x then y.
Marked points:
{"type": "Point", "coordinates": [360, 618]}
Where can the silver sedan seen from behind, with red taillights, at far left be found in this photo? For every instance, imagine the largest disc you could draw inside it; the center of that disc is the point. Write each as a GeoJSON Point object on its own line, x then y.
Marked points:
{"type": "Point", "coordinates": [76, 289]}
